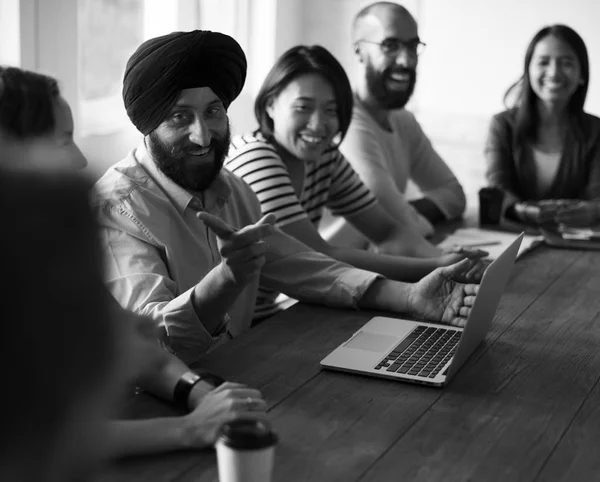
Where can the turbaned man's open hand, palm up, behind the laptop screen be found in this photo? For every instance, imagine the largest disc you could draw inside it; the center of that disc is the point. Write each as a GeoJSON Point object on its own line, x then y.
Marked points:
{"type": "Point", "coordinates": [440, 298]}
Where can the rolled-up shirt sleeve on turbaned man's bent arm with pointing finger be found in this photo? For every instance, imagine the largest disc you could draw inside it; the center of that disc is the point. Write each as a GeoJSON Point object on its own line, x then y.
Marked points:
{"type": "Point", "coordinates": [139, 279]}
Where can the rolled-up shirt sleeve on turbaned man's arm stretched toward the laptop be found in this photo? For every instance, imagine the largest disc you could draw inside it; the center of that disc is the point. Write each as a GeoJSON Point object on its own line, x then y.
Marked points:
{"type": "Point", "coordinates": [298, 271]}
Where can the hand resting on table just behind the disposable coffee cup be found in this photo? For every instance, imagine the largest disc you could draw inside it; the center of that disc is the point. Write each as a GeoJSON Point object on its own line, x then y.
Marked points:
{"type": "Point", "coordinates": [227, 402]}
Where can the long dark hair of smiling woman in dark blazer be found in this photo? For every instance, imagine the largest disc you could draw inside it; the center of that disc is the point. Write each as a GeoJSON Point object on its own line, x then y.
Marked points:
{"type": "Point", "coordinates": [525, 98]}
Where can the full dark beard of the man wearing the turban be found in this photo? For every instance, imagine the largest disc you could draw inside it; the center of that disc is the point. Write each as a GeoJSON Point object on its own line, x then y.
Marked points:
{"type": "Point", "coordinates": [169, 159]}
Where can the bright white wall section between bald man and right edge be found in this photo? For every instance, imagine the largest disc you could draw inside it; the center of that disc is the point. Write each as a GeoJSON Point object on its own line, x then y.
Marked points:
{"type": "Point", "coordinates": [476, 49]}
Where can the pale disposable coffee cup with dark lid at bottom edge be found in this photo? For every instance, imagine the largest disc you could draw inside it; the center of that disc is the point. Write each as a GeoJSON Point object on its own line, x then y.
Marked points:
{"type": "Point", "coordinates": [245, 451]}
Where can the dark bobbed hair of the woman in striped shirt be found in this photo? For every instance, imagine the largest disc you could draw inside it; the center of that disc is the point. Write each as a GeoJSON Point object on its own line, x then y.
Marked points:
{"type": "Point", "coordinates": [298, 61]}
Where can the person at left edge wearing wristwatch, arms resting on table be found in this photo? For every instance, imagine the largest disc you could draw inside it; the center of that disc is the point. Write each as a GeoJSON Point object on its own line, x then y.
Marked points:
{"type": "Point", "coordinates": [36, 134]}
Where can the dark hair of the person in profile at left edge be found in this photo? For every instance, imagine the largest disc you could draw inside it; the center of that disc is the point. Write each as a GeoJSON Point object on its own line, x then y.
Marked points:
{"type": "Point", "coordinates": [26, 103]}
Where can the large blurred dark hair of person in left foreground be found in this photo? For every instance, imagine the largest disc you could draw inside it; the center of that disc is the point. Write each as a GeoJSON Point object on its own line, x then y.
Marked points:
{"type": "Point", "coordinates": [57, 339]}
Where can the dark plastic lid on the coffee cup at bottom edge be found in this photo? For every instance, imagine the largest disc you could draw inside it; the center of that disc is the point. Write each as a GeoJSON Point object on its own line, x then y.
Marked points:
{"type": "Point", "coordinates": [245, 434]}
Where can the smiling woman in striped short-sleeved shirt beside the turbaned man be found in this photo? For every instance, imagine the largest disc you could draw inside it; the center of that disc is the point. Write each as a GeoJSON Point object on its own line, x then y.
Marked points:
{"type": "Point", "coordinates": [293, 165]}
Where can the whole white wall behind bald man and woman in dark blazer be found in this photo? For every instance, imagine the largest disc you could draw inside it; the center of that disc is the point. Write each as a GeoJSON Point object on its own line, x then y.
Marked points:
{"type": "Point", "coordinates": [474, 49]}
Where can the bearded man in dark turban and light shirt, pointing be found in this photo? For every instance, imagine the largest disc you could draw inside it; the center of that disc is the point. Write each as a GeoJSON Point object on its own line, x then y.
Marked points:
{"type": "Point", "coordinates": [184, 241]}
